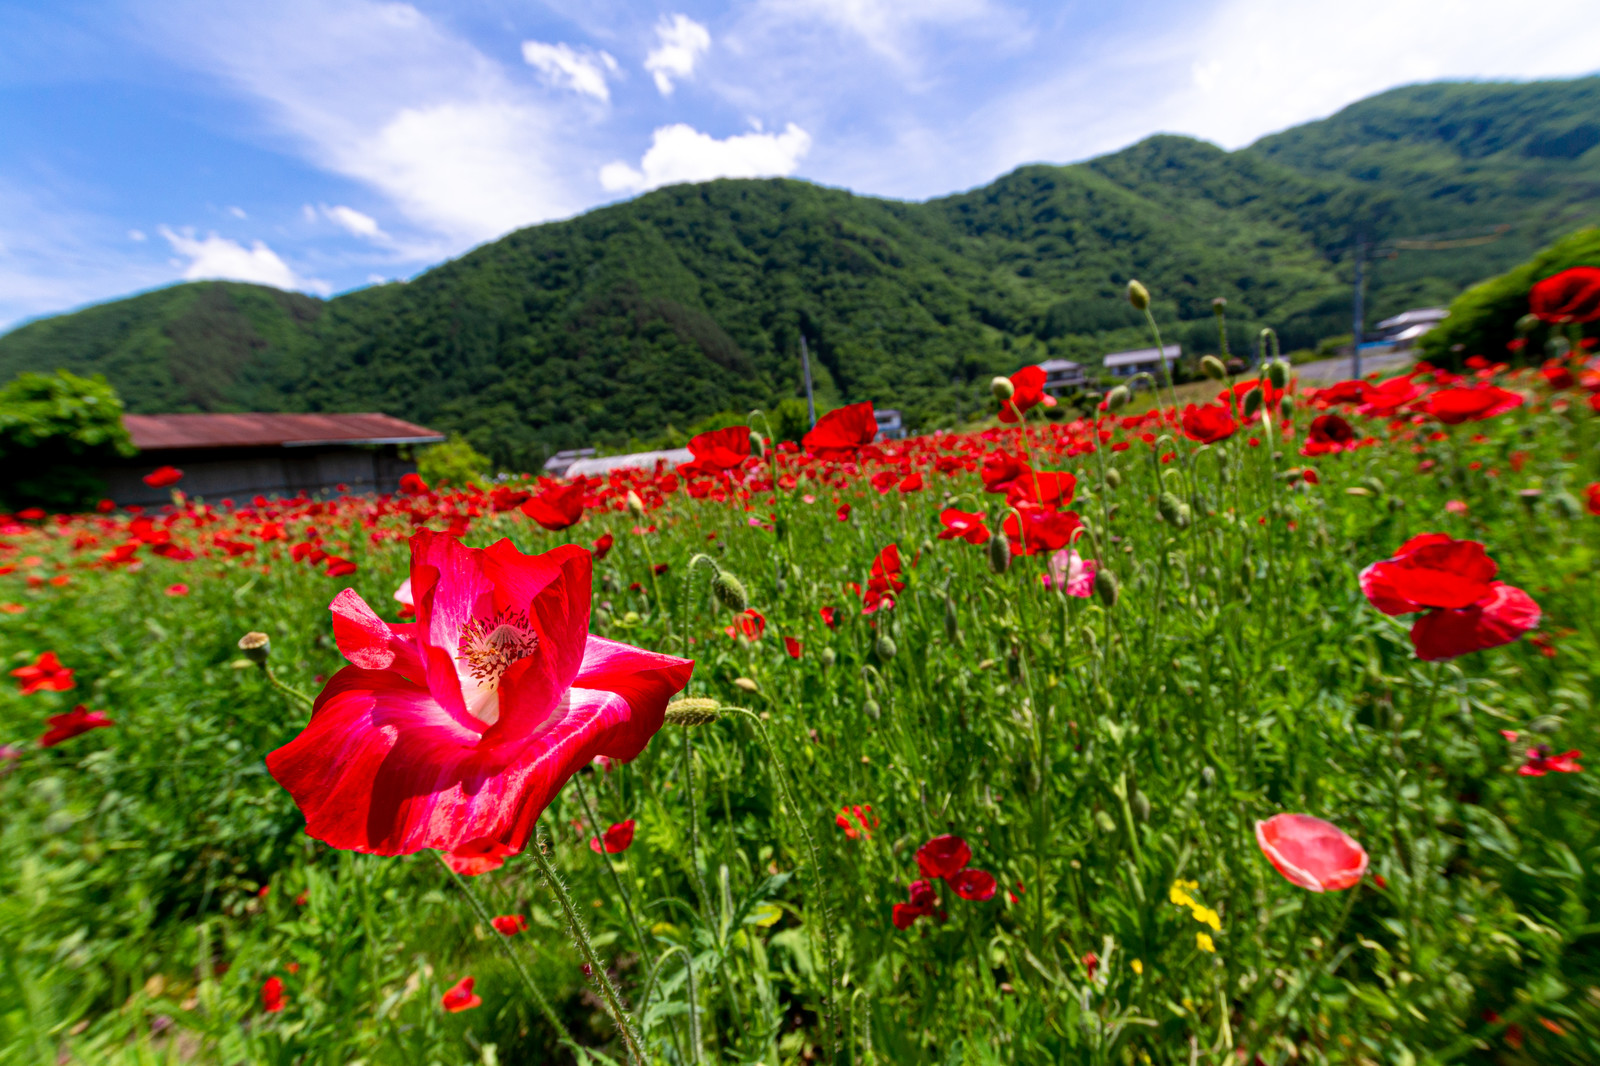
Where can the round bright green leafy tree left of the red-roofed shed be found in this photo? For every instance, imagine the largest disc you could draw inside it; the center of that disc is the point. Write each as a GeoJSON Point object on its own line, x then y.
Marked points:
{"type": "Point", "coordinates": [57, 436]}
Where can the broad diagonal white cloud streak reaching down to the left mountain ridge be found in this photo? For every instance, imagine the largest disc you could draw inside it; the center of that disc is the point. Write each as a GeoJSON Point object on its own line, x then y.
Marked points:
{"type": "Point", "coordinates": [380, 94]}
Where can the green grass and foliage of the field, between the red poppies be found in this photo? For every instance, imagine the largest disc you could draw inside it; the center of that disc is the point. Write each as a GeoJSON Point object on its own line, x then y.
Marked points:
{"type": "Point", "coordinates": [1094, 755]}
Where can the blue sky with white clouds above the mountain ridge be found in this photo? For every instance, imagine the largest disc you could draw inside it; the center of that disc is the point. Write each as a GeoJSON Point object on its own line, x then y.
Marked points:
{"type": "Point", "coordinates": [327, 145]}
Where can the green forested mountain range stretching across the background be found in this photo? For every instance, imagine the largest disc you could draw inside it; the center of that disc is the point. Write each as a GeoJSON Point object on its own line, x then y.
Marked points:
{"type": "Point", "coordinates": [690, 300]}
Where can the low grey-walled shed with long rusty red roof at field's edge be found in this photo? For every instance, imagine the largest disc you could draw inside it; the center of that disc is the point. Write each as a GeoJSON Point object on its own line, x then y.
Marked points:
{"type": "Point", "coordinates": [266, 455]}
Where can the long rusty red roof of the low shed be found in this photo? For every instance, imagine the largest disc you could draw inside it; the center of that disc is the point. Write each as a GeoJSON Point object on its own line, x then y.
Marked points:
{"type": "Point", "coordinates": [172, 433]}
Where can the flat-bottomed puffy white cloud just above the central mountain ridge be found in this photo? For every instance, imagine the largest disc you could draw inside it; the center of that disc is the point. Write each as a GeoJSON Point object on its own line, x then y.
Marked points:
{"type": "Point", "coordinates": [681, 153]}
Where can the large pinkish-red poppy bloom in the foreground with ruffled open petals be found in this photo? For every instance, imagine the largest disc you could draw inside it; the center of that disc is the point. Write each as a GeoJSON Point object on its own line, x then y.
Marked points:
{"type": "Point", "coordinates": [462, 727]}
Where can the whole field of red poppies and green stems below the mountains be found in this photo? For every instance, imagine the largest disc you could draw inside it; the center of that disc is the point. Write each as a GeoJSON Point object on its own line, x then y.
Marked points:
{"type": "Point", "coordinates": [1249, 732]}
